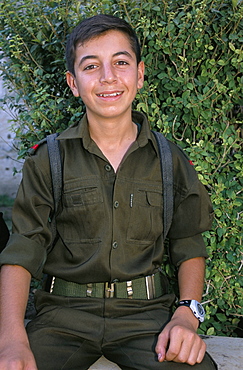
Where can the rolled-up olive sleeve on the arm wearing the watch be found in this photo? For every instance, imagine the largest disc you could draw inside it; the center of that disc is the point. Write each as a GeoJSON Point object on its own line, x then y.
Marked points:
{"type": "Point", "coordinates": [193, 214]}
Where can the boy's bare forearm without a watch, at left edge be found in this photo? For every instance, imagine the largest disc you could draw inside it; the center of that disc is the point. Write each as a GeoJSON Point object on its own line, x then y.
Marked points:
{"type": "Point", "coordinates": [14, 291]}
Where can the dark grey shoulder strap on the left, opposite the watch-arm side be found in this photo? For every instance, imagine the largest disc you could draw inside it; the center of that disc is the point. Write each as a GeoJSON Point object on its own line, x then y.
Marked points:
{"type": "Point", "coordinates": [56, 174]}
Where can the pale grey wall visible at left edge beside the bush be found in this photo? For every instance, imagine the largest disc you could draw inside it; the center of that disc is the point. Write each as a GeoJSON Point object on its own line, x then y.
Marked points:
{"type": "Point", "coordinates": [8, 155]}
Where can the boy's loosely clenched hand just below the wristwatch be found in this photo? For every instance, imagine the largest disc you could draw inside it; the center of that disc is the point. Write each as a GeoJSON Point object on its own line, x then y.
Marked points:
{"type": "Point", "coordinates": [179, 341]}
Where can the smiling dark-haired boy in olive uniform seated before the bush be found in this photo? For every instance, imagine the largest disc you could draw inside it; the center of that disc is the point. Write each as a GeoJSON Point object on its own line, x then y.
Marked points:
{"type": "Point", "coordinates": [109, 230]}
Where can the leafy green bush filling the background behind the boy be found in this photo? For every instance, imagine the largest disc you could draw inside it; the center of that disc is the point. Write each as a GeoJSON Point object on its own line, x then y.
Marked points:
{"type": "Point", "coordinates": [193, 93]}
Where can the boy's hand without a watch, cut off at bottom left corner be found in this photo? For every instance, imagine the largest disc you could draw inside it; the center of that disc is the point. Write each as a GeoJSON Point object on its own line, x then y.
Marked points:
{"type": "Point", "coordinates": [16, 356]}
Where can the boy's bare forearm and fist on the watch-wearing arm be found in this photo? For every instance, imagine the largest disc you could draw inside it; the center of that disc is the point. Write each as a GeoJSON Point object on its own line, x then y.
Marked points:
{"type": "Point", "coordinates": [179, 341]}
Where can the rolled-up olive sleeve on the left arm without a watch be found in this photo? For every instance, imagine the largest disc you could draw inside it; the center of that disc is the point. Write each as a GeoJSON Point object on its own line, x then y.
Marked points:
{"type": "Point", "coordinates": [31, 237]}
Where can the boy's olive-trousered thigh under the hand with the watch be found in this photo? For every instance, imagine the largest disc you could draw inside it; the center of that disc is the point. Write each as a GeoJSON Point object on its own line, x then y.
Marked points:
{"type": "Point", "coordinates": [136, 348]}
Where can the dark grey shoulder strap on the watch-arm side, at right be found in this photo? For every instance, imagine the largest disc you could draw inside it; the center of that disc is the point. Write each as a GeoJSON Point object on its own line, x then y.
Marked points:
{"type": "Point", "coordinates": [166, 164]}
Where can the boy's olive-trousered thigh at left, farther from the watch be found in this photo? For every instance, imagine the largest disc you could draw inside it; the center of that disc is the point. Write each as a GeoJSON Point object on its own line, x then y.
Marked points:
{"type": "Point", "coordinates": [65, 339]}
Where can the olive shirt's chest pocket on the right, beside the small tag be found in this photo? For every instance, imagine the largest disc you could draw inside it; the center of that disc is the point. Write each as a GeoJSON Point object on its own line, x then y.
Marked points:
{"type": "Point", "coordinates": [145, 223]}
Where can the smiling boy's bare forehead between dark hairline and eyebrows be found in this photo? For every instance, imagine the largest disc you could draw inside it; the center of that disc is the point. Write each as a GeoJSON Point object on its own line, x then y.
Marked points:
{"type": "Point", "coordinates": [107, 41]}
